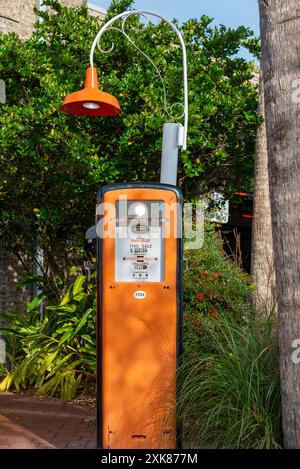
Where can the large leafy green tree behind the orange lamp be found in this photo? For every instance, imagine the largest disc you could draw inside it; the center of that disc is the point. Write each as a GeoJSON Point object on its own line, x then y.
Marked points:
{"type": "Point", "coordinates": [52, 164]}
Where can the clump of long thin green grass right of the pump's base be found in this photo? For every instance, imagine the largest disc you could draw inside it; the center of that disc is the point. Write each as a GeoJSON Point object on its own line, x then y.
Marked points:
{"type": "Point", "coordinates": [230, 388]}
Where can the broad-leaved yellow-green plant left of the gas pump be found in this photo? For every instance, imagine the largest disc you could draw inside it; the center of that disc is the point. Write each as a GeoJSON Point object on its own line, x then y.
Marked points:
{"type": "Point", "coordinates": [54, 352]}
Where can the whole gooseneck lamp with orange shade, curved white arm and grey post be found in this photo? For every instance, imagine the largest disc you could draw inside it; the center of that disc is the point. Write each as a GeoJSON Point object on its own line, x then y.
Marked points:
{"type": "Point", "coordinates": [93, 102]}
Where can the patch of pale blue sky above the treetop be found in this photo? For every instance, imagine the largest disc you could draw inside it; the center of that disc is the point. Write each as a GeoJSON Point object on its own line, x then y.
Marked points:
{"type": "Point", "coordinates": [231, 13]}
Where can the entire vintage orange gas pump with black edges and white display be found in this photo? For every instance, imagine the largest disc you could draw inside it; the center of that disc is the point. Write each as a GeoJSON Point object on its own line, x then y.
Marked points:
{"type": "Point", "coordinates": [139, 314]}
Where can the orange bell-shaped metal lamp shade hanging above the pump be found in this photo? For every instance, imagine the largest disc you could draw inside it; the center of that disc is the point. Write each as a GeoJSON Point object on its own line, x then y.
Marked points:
{"type": "Point", "coordinates": [90, 101]}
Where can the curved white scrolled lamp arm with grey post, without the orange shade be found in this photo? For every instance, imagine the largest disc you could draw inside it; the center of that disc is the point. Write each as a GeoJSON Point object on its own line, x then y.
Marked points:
{"type": "Point", "coordinates": [174, 134]}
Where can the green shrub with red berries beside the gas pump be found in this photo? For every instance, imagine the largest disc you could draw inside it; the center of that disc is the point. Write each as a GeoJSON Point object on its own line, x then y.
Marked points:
{"type": "Point", "coordinates": [212, 284]}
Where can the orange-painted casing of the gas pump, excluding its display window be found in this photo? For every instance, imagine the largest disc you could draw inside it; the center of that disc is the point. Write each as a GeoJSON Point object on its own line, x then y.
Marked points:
{"type": "Point", "coordinates": [139, 346]}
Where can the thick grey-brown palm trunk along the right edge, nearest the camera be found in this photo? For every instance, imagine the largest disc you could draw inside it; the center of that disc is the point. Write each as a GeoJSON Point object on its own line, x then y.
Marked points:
{"type": "Point", "coordinates": [280, 30]}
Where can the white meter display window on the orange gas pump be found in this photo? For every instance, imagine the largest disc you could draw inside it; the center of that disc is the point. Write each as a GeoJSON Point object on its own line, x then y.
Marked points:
{"type": "Point", "coordinates": [139, 243]}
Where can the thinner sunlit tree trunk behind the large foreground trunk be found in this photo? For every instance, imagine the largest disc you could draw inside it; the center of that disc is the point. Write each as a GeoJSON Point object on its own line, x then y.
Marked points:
{"type": "Point", "coordinates": [262, 260]}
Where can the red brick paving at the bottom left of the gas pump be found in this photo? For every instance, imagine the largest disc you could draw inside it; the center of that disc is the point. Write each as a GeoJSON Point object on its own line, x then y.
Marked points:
{"type": "Point", "coordinates": [43, 422]}
